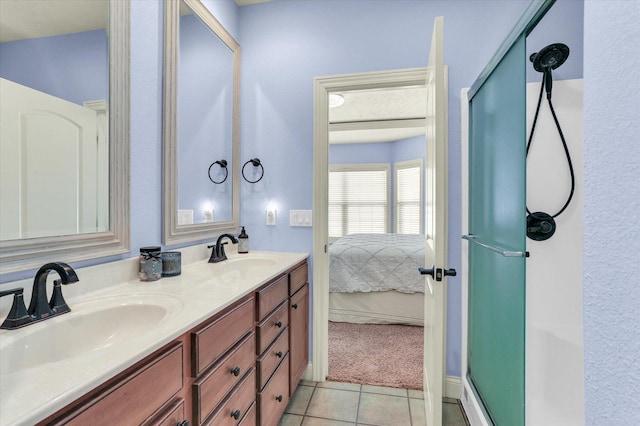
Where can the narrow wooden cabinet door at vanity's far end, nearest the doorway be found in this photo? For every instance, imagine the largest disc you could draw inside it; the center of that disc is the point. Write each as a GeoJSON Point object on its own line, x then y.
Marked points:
{"type": "Point", "coordinates": [298, 335]}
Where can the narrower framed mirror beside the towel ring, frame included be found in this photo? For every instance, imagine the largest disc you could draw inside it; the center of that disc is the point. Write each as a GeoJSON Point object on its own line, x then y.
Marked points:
{"type": "Point", "coordinates": [201, 107]}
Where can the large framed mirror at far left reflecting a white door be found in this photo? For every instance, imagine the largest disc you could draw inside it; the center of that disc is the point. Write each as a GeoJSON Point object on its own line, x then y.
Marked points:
{"type": "Point", "coordinates": [64, 131]}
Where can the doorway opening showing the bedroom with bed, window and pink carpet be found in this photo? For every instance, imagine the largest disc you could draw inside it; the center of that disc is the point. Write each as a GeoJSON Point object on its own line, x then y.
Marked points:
{"type": "Point", "coordinates": [376, 236]}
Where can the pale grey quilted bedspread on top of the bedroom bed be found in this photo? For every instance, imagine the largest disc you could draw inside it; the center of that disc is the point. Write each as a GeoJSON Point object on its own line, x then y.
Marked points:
{"type": "Point", "coordinates": [377, 262]}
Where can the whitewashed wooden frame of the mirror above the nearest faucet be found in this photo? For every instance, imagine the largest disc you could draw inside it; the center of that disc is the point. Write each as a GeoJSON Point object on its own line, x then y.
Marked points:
{"type": "Point", "coordinates": [21, 255]}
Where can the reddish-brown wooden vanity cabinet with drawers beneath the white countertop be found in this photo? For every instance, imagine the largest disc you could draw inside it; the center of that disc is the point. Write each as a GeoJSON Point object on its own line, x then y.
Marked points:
{"type": "Point", "coordinates": [239, 367]}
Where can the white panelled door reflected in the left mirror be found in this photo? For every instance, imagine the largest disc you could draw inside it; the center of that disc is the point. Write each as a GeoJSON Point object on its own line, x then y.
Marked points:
{"type": "Point", "coordinates": [50, 164]}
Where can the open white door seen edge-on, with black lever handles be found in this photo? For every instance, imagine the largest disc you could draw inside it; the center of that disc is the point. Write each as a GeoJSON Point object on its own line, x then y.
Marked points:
{"type": "Point", "coordinates": [436, 229]}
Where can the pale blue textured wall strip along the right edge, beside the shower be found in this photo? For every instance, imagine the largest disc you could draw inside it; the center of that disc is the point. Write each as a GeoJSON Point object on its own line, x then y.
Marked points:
{"type": "Point", "coordinates": [611, 205]}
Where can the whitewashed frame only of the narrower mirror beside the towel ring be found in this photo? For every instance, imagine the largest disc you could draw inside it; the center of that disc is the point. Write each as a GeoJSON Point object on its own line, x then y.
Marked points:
{"type": "Point", "coordinates": [172, 233]}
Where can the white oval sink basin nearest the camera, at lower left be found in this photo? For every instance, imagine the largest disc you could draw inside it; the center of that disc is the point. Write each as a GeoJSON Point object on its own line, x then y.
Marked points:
{"type": "Point", "coordinates": [90, 326]}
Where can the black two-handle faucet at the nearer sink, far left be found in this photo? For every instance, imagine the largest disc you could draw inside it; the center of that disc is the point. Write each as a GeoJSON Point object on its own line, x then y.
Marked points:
{"type": "Point", "coordinates": [39, 308]}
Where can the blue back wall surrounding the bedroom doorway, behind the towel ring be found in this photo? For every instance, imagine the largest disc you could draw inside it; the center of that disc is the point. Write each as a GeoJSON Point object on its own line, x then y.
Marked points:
{"type": "Point", "coordinates": [288, 43]}
